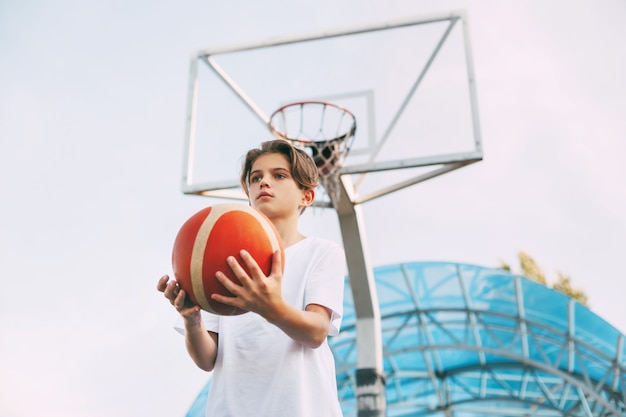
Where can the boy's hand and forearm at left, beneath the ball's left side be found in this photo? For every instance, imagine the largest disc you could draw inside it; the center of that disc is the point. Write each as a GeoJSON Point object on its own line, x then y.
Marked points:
{"type": "Point", "coordinates": [201, 344]}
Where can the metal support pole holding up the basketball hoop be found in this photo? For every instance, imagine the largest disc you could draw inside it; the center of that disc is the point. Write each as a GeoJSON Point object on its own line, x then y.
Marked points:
{"type": "Point", "coordinates": [370, 380]}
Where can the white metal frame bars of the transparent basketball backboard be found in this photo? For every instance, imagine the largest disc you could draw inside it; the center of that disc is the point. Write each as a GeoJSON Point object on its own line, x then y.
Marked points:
{"type": "Point", "coordinates": [440, 164]}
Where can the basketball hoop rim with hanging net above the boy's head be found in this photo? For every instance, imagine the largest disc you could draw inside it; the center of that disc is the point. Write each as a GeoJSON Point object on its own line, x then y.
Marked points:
{"type": "Point", "coordinates": [324, 128]}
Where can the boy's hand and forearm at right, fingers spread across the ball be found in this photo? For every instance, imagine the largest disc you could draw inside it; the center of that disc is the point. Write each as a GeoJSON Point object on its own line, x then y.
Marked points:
{"type": "Point", "coordinates": [263, 296]}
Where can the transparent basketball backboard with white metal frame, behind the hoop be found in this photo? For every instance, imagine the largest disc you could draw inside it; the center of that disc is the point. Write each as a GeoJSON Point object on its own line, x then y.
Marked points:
{"type": "Point", "coordinates": [409, 82]}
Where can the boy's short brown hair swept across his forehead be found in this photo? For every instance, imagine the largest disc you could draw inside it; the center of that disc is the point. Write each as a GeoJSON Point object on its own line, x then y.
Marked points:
{"type": "Point", "coordinates": [303, 168]}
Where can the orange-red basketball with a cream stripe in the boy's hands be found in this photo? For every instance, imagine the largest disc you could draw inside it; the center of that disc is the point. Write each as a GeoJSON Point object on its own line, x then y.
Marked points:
{"type": "Point", "coordinates": [211, 235]}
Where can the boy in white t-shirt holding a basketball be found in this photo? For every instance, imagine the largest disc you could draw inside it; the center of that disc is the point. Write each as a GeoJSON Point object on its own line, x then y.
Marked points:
{"type": "Point", "coordinates": [273, 361]}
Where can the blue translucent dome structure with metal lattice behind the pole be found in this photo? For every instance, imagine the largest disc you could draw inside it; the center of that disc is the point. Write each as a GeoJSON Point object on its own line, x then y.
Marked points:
{"type": "Point", "coordinates": [462, 340]}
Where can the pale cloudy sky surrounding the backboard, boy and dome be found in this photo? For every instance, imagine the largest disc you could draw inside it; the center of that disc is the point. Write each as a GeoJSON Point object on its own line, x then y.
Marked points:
{"type": "Point", "coordinates": [92, 110]}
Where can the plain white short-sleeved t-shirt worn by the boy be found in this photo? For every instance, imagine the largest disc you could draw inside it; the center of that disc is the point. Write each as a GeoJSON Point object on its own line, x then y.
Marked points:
{"type": "Point", "coordinates": [259, 370]}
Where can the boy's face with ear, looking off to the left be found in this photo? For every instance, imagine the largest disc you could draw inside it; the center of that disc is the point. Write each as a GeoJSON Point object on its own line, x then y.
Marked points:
{"type": "Point", "coordinates": [272, 189]}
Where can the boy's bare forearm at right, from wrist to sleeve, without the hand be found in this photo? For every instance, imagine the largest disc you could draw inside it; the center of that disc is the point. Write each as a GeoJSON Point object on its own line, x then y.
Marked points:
{"type": "Point", "coordinates": [309, 327]}
